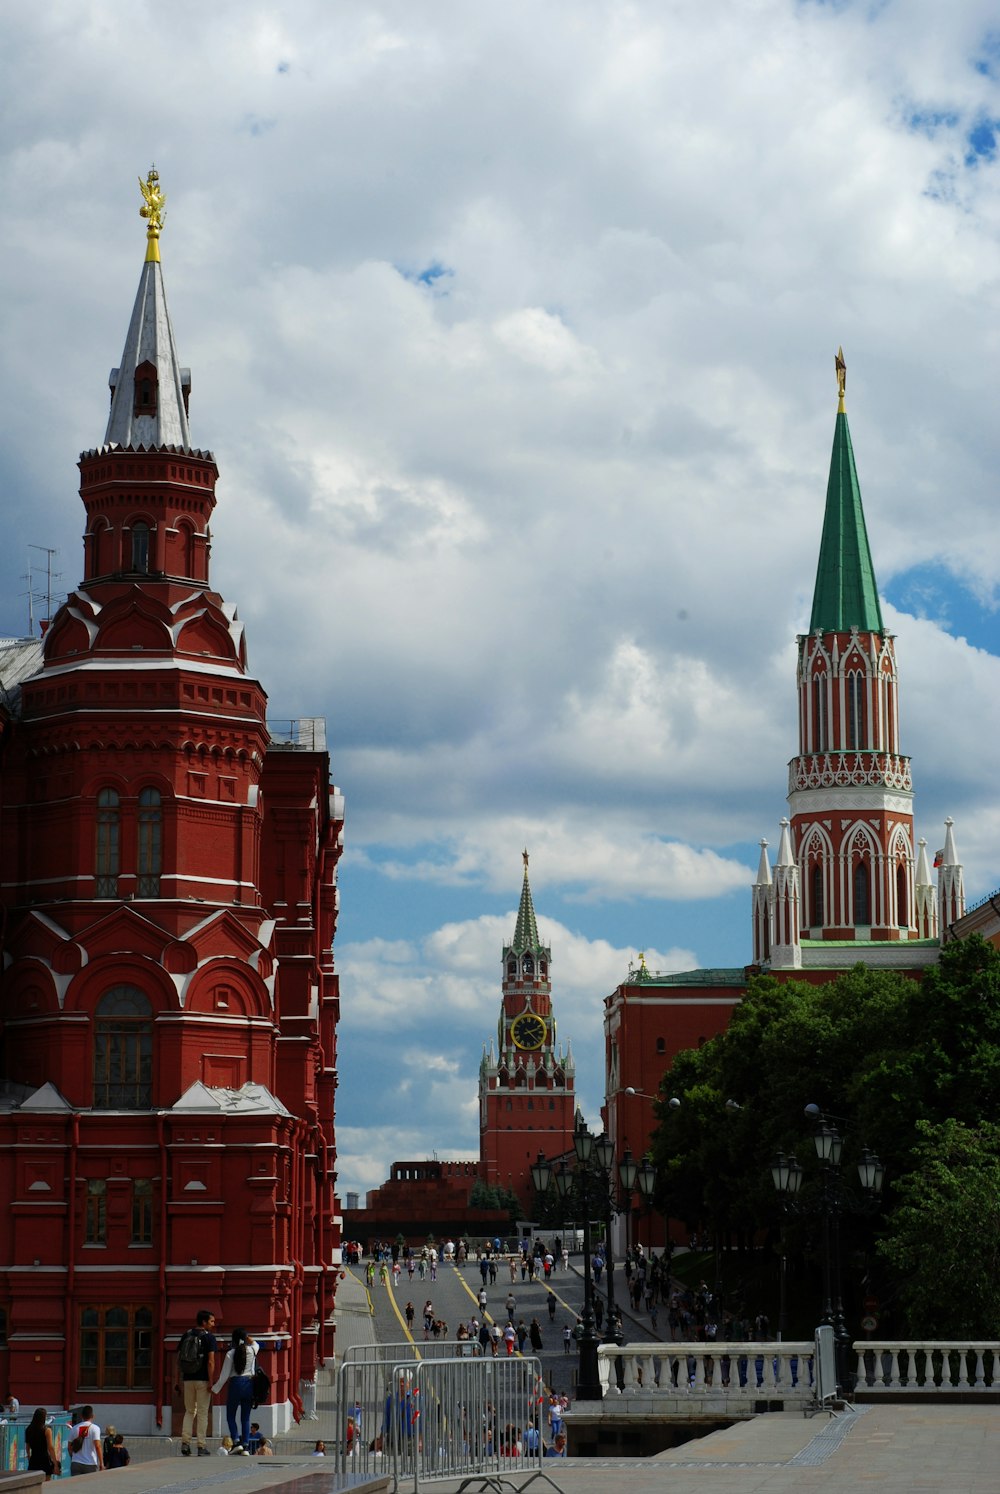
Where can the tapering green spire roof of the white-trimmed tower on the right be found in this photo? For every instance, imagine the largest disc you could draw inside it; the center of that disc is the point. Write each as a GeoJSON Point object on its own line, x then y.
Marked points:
{"type": "Point", "coordinates": [847, 595]}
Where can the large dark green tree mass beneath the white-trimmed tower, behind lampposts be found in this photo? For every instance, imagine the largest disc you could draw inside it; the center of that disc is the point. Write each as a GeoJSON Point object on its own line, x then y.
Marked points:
{"type": "Point", "coordinates": [880, 1050]}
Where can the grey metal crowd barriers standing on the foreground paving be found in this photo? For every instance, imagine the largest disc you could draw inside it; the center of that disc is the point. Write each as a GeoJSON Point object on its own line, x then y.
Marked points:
{"type": "Point", "coordinates": [472, 1419]}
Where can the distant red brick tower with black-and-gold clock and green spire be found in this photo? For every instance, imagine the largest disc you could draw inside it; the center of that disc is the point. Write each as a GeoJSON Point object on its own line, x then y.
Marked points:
{"type": "Point", "coordinates": [527, 1081]}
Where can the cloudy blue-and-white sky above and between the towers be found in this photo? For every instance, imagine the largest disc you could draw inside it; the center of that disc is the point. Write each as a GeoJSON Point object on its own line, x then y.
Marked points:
{"type": "Point", "coordinates": [513, 332]}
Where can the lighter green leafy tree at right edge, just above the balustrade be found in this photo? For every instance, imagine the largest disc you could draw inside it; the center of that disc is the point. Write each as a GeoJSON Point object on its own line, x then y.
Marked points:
{"type": "Point", "coordinates": [944, 1236]}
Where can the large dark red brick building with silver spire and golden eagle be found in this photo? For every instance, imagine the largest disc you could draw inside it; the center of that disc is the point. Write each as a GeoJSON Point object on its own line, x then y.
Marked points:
{"type": "Point", "coordinates": [168, 997]}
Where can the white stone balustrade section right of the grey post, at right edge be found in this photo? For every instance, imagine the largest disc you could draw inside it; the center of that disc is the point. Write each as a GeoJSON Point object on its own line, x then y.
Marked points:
{"type": "Point", "coordinates": [929, 1366]}
